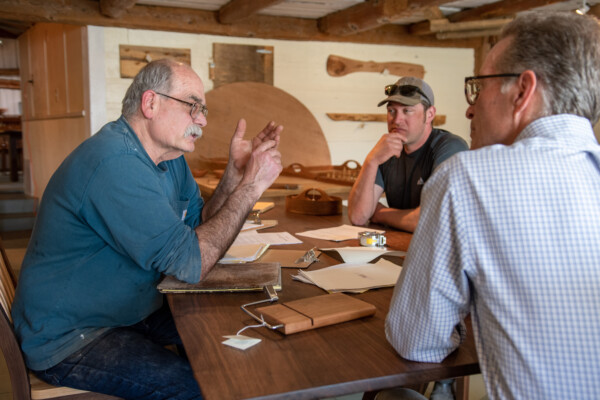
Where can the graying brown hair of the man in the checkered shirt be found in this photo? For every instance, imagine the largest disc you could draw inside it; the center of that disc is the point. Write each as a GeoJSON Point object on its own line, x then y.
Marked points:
{"type": "Point", "coordinates": [562, 49]}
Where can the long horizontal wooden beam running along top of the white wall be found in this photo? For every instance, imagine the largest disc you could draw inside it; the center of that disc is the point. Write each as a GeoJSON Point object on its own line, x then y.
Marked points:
{"type": "Point", "coordinates": [86, 12]}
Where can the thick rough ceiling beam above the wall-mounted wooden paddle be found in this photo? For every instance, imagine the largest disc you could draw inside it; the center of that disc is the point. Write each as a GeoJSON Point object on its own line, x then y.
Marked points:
{"type": "Point", "coordinates": [373, 14]}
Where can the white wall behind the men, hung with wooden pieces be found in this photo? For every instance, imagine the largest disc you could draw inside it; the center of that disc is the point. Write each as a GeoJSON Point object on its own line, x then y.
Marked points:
{"type": "Point", "coordinates": [300, 70]}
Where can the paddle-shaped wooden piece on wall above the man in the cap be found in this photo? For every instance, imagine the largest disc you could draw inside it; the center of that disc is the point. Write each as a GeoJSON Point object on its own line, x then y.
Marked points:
{"type": "Point", "coordinates": [340, 66]}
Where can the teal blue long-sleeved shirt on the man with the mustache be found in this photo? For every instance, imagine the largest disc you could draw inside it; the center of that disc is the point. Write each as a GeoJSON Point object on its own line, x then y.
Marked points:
{"type": "Point", "coordinates": [111, 222]}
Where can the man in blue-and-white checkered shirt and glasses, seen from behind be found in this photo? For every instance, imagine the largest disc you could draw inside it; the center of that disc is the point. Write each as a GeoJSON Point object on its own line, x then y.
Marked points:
{"type": "Point", "coordinates": [510, 231]}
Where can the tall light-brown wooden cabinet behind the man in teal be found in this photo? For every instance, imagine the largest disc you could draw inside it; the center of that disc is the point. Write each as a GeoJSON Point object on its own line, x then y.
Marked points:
{"type": "Point", "coordinates": [55, 98]}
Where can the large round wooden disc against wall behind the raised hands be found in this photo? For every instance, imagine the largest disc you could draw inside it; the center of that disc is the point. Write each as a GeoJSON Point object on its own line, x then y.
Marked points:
{"type": "Point", "coordinates": [302, 140]}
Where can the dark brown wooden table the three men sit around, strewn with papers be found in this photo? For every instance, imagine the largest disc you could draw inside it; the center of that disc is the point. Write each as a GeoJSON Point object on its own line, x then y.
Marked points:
{"type": "Point", "coordinates": [331, 361]}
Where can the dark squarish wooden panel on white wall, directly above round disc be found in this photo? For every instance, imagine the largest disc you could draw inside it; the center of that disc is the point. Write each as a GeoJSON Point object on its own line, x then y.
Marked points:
{"type": "Point", "coordinates": [241, 63]}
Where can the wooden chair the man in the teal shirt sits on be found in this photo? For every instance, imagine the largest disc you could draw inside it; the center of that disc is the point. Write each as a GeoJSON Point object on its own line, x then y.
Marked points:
{"type": "Point", "coordinates": [25, 385]}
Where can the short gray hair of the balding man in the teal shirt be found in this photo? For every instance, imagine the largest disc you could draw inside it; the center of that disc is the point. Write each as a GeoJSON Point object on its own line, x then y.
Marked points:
{"type": "Point", "coordinates": [154, 76]}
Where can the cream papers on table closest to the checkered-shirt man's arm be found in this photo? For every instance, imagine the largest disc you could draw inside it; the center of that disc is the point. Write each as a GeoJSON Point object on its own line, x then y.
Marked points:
{"type": "Point", "coordinates": [353, 278]}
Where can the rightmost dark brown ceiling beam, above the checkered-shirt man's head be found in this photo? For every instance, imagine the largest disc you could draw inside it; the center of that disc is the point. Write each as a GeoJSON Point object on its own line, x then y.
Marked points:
{"type": "Point", "coordinates": [504, 8]}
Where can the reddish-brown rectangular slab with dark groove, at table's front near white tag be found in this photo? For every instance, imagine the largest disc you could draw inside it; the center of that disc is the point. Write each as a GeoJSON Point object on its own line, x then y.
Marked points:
{"type": "Point", "coordinates": [315, 312]}
